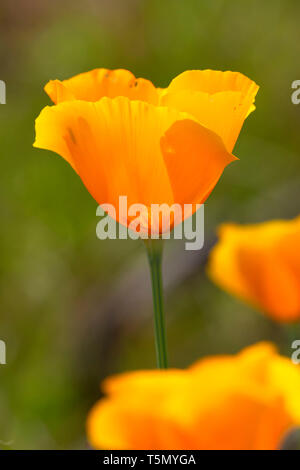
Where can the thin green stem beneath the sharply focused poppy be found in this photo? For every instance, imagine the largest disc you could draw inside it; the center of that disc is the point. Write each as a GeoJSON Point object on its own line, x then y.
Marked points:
{"type": "Point", "coordinates": [154, 251]}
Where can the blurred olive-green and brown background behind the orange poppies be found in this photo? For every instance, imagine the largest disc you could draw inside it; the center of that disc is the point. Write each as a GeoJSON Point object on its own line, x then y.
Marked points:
{"type": "Point", "coordinates": [75, 309]}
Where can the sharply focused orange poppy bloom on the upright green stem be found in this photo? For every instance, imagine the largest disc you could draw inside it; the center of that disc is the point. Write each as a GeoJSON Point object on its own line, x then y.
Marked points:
{"type": "Point", "coordinates": [123, 136]}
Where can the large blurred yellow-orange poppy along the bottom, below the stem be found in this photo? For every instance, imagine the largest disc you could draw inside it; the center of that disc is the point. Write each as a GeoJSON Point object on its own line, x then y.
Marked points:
{"type": "Point", "coordinates": [247, 401]}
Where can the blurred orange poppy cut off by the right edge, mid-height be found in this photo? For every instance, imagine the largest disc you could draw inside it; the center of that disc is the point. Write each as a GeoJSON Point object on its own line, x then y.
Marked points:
{"type": "Point", "coordinates": [261, 264]}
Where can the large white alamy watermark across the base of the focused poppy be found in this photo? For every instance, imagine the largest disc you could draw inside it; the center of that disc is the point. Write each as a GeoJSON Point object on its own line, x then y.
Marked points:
{"type": "Point", "coordinates": [178, 221]}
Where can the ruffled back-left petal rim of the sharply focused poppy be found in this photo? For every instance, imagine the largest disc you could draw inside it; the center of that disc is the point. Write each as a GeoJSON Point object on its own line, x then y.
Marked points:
{"type": "Point", "coordinates": [93, 85]}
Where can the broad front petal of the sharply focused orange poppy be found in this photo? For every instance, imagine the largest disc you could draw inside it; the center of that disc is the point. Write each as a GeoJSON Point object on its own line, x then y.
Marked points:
{"type": "Point", "coordinates": [123, 147]}
